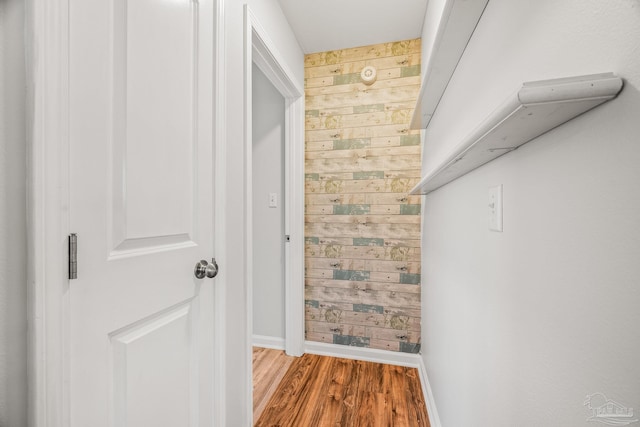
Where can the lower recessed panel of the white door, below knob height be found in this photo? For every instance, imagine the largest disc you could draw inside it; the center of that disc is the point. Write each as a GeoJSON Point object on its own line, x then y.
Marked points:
{"type": "Point", "coordinates": [132, 367]}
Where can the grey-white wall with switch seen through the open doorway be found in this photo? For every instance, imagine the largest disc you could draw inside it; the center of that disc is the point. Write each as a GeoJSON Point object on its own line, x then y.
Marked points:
{"type": "Point", "coordinates": [268, 222]}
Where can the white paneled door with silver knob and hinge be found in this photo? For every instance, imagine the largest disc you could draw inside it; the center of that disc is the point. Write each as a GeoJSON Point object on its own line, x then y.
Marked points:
{"type": "Point", "coordinates": [141, 333]}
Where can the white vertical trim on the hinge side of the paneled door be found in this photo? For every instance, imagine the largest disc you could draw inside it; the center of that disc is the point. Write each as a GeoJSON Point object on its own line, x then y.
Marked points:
{"type": "Point", "coordinates": [48, 225]}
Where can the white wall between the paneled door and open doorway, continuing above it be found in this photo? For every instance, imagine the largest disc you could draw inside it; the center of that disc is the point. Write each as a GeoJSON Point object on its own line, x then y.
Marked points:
{"type": "Point", "coordinates": [237, 350]}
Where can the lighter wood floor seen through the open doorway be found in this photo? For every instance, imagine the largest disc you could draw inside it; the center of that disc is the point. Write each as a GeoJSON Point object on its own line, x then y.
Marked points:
{"type": "Point", "coordinates": [269, 366]}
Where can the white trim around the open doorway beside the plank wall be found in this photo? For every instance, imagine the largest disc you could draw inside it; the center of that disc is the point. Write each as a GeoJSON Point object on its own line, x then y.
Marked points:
{"type": "Point", "coordinates": [260, 49]}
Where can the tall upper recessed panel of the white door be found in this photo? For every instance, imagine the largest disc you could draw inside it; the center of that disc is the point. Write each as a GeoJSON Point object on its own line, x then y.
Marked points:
{"type": "Point", "coordinates": [167, 39]}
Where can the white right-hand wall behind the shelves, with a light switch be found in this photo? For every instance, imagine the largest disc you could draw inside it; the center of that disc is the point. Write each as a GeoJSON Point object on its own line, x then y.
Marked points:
{"type": "Point", "coordinates": [520, 326]}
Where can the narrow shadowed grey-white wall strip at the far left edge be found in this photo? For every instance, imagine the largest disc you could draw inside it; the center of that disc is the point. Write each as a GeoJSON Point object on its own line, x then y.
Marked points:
{"type": "Point", "coordinates": [13, 297]}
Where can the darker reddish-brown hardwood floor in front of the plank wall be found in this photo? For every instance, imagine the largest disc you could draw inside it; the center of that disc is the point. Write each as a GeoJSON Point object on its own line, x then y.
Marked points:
{"type": "Point", "coordinates": [319, 391]}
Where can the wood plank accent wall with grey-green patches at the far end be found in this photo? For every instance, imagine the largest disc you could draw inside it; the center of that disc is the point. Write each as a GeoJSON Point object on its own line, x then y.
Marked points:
{"type": "Point", "coordinates": [362, 229]}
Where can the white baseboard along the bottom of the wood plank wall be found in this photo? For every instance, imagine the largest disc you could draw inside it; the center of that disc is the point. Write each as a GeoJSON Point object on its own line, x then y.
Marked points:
{"type": "Point", "coordinates": [362, 353]}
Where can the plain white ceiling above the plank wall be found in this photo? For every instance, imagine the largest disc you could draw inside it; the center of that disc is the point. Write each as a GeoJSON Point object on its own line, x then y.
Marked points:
{"type": "Point", "coordinates": [322, 25]}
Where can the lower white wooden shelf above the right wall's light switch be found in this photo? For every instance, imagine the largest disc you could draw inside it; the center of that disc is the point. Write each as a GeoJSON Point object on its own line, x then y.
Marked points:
{"type": "Point", "coordinates": [533, 110]}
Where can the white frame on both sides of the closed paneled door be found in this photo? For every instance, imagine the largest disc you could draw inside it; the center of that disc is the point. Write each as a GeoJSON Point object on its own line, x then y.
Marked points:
{"type": "Point", "coordinates": [47, 29]}
